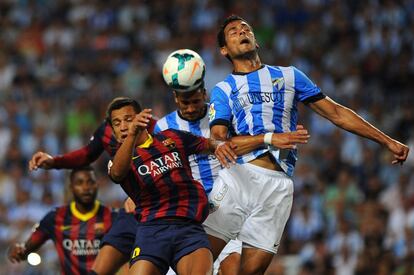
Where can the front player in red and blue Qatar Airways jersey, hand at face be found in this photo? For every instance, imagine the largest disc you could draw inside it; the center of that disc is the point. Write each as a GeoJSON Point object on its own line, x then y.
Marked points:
{"type": "Point", "coordinates": [155, 172]}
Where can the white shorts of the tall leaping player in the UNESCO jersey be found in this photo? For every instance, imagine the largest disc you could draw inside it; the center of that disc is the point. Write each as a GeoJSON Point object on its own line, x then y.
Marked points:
{"type": "Point", "coordinates": [251, 203]}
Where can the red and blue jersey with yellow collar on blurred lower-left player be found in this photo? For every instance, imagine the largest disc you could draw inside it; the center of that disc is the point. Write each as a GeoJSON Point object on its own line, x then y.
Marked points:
{"type": "Point", "coordinates": [76, 236]}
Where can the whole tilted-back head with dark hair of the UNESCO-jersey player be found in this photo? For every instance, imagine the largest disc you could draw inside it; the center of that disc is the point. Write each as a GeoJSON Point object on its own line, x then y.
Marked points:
{"type": "Point", "coordinates": [236, 38]}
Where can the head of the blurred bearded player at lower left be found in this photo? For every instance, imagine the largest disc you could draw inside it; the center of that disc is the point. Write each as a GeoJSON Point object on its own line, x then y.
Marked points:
{"type": "Point", "coordinates": [83, 185]}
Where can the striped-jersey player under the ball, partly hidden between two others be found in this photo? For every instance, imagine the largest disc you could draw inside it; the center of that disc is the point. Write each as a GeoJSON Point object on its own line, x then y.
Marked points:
{"type": "Point", "coordinates": [192, 116]}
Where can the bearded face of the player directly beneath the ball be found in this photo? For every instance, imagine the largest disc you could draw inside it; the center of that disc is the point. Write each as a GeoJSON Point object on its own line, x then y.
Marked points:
{"type": "Point", "coordinates": [192, 106]}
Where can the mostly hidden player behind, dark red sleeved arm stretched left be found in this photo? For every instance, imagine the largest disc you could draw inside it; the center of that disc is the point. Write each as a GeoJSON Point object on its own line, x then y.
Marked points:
{"type": "Point", "coordinates": [117, 243]}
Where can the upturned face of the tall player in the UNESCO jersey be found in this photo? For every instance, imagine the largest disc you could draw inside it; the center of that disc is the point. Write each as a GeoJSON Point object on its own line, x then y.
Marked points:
{"type": "Point", "coordinates": [239, 38]}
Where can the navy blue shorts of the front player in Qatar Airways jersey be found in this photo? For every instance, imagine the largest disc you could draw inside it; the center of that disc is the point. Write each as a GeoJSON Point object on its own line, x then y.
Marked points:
{"type": "Point", "coordinates": [165, 242]}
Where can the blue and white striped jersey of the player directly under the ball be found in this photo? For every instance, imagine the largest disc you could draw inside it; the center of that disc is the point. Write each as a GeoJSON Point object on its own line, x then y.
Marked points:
{"type": "Point", "coordinates": [204, 167]}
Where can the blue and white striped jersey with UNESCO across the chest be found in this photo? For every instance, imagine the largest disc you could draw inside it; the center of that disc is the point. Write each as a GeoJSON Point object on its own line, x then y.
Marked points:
{"type": "Point", "coordinates": [263, 101]}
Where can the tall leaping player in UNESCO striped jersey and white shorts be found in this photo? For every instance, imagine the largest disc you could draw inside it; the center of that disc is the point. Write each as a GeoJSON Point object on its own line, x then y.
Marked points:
{"type": "Point", "coordinates": [256, 194]}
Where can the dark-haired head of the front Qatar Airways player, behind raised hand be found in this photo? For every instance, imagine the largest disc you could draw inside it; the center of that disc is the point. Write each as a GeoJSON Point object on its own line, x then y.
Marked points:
{"type": "Point", "coordinates": [120, 113]}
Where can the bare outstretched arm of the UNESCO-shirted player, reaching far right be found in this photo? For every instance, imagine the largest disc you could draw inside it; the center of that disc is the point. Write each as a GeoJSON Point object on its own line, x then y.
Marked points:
{"type": "Point", "coordinates": [347, 119]}
